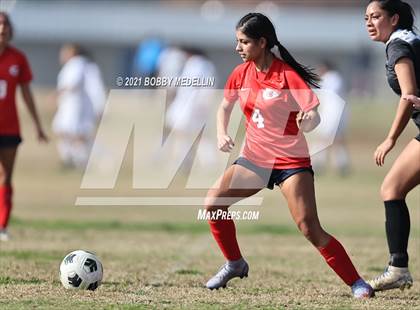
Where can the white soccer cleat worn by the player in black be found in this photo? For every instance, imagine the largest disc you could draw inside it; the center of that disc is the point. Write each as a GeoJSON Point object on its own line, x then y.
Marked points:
{"type": "Point", "coordinates": [393, 277]}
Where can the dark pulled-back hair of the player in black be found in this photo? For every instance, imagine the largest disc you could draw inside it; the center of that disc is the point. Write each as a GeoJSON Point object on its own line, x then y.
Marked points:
{"type": "Point", "coordinates": [402, 9]}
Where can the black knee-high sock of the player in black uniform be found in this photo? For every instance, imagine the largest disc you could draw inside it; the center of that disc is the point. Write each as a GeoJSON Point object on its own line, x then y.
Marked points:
{"type": "Point", "coordinates": [397, 226]}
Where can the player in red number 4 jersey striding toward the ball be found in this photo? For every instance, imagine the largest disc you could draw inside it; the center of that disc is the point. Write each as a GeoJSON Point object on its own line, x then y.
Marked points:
{"type": "Point", "coordinates": [278, 105]}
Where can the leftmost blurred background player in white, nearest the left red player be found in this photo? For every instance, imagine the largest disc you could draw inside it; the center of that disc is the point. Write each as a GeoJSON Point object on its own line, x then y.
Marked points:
{"type": "Point", "coordinates": [80, 100]}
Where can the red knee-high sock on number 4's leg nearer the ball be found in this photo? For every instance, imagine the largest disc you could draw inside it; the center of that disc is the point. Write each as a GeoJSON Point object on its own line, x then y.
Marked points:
{"type": "Point", "coordinates": [224, 233]}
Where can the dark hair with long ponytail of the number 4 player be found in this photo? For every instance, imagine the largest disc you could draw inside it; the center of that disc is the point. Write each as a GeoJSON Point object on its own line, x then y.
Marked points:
{"type": "Point", "coordinates": [256, 26]}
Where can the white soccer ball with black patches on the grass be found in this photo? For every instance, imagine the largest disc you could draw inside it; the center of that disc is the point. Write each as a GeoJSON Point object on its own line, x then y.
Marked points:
{"type": "Point", "coordinates": [81, 270]}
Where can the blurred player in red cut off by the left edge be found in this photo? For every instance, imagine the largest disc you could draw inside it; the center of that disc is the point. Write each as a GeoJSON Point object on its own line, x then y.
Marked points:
{"type": "Point", "coordinates": [14, 71]}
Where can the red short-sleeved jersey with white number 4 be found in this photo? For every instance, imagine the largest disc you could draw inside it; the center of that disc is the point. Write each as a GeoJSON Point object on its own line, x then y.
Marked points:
{"type": "Point", "coordinates": [270, 102]}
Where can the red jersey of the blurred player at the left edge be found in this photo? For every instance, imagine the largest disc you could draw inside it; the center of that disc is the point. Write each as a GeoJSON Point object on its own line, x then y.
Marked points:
{"type": "Point", "coordinates": [14, 70]}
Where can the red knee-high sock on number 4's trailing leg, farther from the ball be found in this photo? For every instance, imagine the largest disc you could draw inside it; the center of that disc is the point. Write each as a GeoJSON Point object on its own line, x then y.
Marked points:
{"type": "Point", "coordinates": [337, 258]}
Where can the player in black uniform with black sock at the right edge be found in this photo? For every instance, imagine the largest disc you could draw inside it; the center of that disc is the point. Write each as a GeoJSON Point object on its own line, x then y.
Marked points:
{"type": "Point", "coordinates": [391, 22]}
